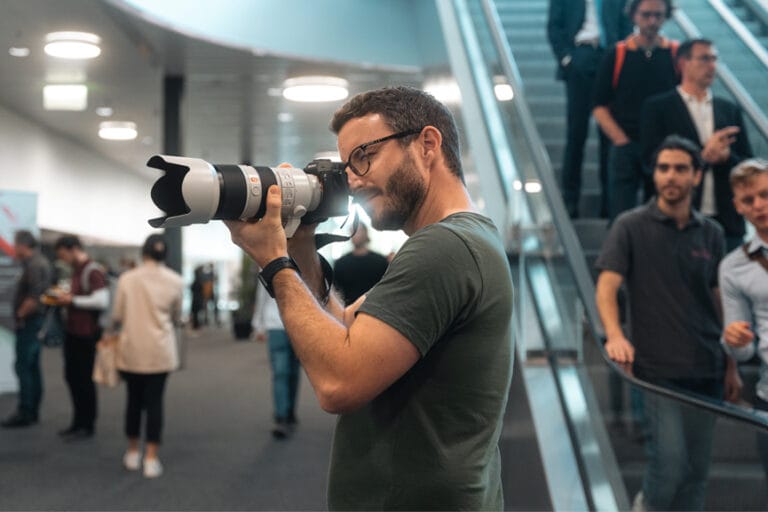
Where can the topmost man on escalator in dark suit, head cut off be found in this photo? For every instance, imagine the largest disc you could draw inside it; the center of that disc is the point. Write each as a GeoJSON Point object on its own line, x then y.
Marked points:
{"type": "Point", "coordinates": [579, 31]}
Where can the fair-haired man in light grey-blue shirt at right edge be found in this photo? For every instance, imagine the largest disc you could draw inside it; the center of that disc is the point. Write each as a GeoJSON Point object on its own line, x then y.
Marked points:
{"type": "Point", "coordinates": [744, 282]}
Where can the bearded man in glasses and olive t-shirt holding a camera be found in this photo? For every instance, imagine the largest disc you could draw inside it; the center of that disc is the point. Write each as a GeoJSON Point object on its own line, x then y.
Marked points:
{"type": "Point", "coordinates": [419, 368]}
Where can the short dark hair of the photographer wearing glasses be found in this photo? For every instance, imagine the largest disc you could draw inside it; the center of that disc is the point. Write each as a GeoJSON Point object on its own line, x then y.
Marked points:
{"type": "Point", "coordinates": [406, 108]}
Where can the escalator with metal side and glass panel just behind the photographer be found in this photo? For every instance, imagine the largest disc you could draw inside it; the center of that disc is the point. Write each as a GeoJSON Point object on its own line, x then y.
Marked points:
{"type": "Point", "coordinates": [569, 441]}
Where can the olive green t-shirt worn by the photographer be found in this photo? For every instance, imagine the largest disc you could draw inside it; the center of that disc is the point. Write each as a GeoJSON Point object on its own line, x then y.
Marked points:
{"type": "Point", "coordinates": [430, 441]}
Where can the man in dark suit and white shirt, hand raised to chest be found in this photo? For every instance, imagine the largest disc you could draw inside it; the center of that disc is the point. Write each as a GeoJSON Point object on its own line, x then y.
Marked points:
{"type": "Point", "coordinates": [692, 112]}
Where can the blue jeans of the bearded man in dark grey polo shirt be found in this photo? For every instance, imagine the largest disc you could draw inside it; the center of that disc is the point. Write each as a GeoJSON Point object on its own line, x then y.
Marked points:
{"type": "Point", "coordinates": [678, 450]}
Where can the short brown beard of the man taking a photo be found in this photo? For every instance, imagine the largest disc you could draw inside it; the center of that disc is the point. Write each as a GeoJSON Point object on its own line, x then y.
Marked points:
{"type": "Point", "coordinates": [404, 193]}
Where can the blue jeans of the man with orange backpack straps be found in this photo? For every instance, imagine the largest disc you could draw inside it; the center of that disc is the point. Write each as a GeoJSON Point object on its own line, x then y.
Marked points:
{"type": "Point", "coordinates": [625, 178]}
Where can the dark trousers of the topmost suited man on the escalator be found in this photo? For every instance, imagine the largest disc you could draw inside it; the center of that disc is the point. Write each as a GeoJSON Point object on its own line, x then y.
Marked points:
{"type": "Point", "coordinates": [579, 85]}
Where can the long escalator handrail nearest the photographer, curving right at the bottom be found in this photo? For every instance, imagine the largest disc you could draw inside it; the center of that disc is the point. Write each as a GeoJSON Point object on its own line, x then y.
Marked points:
{"type": "Point", "coordinates": [572, 247]}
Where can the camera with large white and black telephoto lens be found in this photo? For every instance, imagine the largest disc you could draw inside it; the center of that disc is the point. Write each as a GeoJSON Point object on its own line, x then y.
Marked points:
{"type": "Point", "coordinates": [193, 191]}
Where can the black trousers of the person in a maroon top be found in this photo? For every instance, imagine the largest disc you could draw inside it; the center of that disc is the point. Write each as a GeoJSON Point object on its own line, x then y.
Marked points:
{"type": "Point", "coordinates": [79, 354]}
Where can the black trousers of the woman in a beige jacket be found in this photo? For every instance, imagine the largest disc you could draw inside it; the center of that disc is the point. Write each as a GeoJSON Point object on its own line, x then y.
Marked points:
{"type": "Point", "coordinates": [145, 393]}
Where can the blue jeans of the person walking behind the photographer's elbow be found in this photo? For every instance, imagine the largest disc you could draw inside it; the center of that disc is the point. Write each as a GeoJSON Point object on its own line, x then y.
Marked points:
{"type": "Point", "coordinates": [285, 374]}
